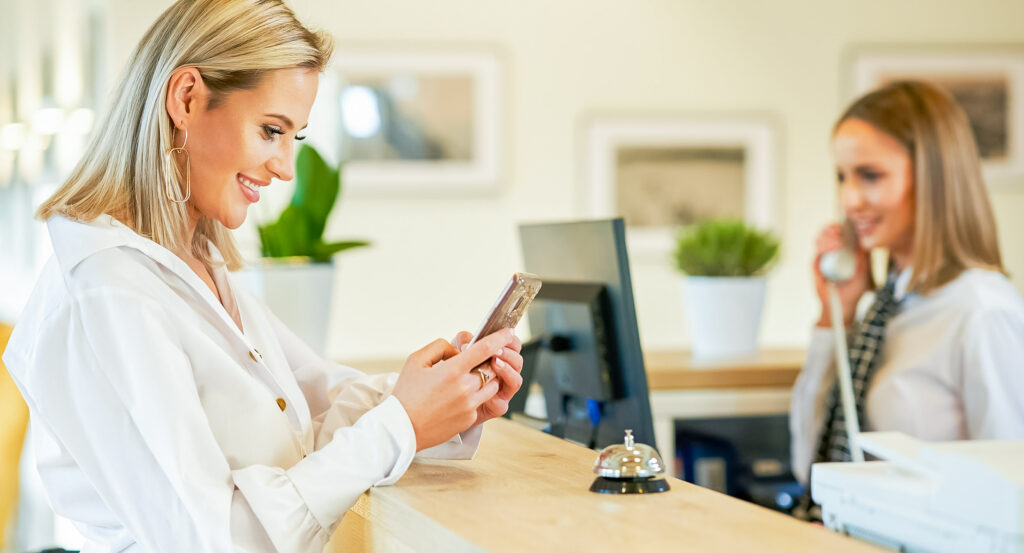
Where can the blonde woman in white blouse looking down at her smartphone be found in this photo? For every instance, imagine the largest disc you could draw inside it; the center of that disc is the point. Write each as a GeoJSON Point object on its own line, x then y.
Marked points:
{"type": "Point", "coordinates": [170, 410]}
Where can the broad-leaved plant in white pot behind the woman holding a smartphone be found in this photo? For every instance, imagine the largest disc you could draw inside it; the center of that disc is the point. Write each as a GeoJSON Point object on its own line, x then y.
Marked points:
{"type": "Point", "coordinates": [296, 275]}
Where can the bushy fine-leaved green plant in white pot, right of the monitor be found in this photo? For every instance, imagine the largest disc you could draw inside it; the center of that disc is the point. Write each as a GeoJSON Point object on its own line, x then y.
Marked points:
{"type": "Point", "coordinates": [724, 263]}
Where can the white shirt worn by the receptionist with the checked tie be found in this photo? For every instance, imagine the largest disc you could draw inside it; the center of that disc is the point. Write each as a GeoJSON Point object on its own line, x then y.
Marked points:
{"type": "Point", "coordinates": [952, 368]}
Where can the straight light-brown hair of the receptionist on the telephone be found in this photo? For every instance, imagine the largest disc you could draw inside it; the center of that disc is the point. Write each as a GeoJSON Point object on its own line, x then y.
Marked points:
{"type": "Point", "coordinates": [955, 228]}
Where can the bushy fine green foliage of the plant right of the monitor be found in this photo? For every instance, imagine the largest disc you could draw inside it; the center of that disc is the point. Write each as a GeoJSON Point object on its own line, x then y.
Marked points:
{"type": "Point", "coordinates": [724, 248]}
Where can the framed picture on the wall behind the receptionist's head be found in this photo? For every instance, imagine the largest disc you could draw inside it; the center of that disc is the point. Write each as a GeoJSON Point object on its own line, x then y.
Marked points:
{"type": "Point", "coordinates": [988, 82]}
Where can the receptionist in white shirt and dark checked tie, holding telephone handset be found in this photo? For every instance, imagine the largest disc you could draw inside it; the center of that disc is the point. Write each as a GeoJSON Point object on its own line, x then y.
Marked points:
{"type": "Point", "coordinates": [941, 354]}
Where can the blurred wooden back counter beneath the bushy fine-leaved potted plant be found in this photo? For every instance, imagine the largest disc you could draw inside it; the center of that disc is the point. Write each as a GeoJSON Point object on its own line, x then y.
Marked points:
{"type": "Point", "coordinates": [682, 388]}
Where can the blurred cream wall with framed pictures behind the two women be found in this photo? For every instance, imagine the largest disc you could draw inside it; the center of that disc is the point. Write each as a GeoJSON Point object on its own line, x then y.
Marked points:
{"type": "Point", "coordinates": [458, 120]}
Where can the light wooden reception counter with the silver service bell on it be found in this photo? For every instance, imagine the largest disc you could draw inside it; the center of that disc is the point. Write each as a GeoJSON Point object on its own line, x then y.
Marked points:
{"type": "Point", "coordinates": [527, 491]}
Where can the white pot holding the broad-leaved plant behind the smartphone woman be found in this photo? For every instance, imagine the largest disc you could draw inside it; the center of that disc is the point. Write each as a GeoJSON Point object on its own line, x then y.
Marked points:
{"type": "Point", "coordinates": [298, 292]}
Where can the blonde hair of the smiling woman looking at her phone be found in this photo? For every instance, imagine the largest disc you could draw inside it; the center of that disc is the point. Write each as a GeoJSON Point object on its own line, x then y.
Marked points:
{"type": "Point", "coordinates": [232, 44]}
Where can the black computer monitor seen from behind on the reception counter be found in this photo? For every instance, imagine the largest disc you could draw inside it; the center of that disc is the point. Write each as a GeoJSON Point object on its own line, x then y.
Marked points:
{"type": "Point", "coordinates": [586, 349]}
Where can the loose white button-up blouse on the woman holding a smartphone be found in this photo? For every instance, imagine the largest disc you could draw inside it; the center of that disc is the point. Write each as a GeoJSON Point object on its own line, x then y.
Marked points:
{"type": "Point", "coordinates": [158, 426]}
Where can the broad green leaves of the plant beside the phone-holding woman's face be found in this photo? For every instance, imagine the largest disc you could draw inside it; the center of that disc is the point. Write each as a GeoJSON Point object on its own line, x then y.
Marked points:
{"type": "Point", "coordinates": [300, 230]}
